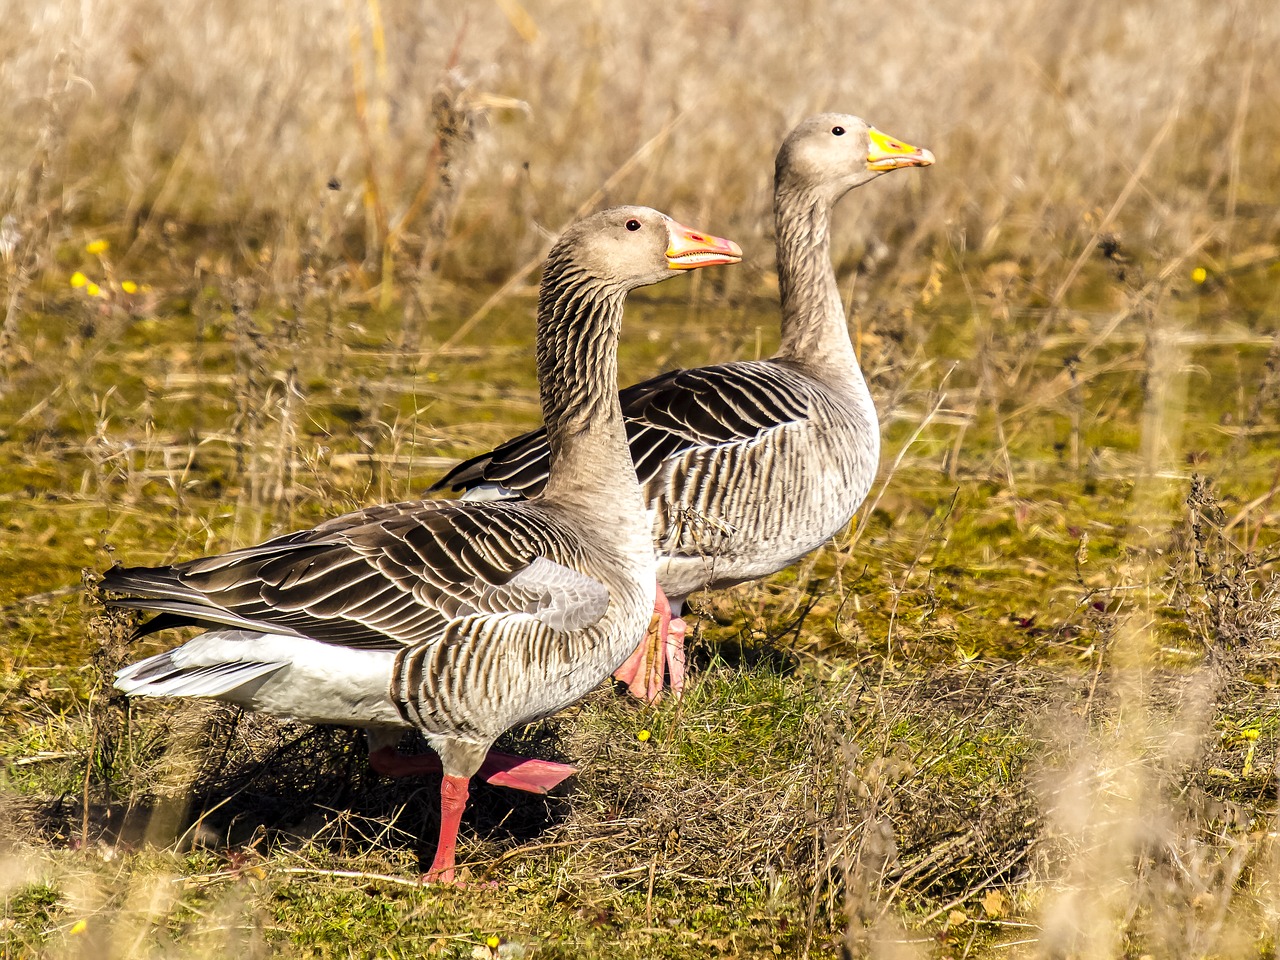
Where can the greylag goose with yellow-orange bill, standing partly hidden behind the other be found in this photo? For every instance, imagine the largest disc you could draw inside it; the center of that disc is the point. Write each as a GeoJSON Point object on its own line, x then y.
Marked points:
{"type": "Point", "coordinates": [747, 467]}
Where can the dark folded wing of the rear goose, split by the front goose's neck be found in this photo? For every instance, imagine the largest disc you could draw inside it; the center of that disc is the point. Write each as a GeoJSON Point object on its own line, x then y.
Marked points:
{"type": "Point", "coordinates": [675, 414]}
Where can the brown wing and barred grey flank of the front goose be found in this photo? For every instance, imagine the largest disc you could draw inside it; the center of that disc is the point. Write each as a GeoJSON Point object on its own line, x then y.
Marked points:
{"type": "Point", "coordinates": [470, 598]}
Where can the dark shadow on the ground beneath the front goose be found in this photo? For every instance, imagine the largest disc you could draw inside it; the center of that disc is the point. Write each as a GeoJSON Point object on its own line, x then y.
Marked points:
{"type": "Point", "coordinates": [272, 787]}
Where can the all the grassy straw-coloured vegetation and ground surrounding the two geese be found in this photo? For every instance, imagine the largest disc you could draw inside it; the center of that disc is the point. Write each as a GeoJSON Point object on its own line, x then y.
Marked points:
{"type": "Point", "coordinates": [263, 263]}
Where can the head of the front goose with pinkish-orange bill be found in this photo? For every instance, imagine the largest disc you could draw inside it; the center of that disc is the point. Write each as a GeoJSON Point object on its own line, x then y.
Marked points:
{"type": "Point", "coordinates": [633, 246]}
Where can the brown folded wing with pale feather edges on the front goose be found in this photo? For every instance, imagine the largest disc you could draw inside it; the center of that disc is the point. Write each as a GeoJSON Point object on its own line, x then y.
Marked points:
{"type": "Point", "coordinates": [385, 578]}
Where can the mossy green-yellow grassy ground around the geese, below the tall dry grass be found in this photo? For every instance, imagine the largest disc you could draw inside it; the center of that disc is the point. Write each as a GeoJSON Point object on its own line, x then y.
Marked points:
{"type": "Point", "coordinates": [867, 738]}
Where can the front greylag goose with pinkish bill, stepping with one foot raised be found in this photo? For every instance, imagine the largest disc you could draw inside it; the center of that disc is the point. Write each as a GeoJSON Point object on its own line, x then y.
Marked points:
{"type": "Point", "coordinates": [460, 620]}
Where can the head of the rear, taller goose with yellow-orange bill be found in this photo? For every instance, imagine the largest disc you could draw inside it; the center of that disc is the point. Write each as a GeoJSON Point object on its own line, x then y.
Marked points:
{"type": "Point", "coordinates": [831, 154]}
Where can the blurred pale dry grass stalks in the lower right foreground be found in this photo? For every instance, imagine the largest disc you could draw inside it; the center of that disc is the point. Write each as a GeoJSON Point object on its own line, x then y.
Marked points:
{"type": "Point", "coordinates": [1136, 856]}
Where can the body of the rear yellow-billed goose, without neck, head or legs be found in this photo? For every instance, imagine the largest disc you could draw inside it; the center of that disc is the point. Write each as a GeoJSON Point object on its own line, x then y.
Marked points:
{"type": "Point", "coordinates": [746, 468]}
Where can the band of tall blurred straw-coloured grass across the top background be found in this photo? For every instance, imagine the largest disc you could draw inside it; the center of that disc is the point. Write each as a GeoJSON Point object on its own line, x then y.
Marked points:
{"type": "Point", "coordinates": [1055, 124]}
